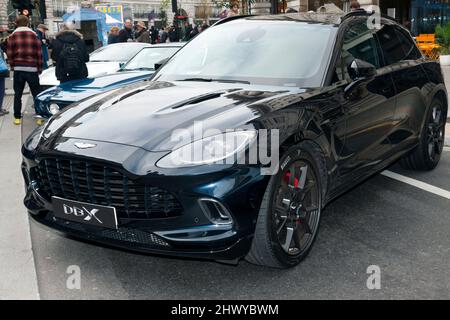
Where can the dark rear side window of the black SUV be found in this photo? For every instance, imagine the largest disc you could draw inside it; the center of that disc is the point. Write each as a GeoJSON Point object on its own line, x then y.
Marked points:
{"type": "Point", "coordinates": [396, 45]}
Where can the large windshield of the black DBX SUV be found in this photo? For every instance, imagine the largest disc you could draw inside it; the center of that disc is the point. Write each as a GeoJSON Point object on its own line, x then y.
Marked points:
{"type": "Point", "coordinates": [282, 53]}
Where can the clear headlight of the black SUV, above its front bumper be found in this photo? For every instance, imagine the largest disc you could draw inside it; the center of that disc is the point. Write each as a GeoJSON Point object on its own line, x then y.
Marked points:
{"type": "Point", "coordinates": [217, 149]}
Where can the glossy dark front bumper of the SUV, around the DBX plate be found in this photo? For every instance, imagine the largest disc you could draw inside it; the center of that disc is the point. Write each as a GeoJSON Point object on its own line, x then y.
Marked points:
{"type": "Point", "coordinates": [191, 234]}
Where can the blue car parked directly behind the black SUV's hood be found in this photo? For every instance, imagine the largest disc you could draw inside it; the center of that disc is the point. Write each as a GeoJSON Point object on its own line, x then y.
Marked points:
{"type": "Point", "coordinates": [140, 67]}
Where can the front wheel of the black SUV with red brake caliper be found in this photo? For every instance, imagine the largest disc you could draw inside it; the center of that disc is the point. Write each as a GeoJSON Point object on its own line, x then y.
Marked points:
{"type": "Point", "coordinates": [268, 247]}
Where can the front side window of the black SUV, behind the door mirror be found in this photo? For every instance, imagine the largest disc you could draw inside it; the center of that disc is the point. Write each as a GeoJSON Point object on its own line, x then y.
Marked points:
{"type": "Point", "coordinates": [359, 43]}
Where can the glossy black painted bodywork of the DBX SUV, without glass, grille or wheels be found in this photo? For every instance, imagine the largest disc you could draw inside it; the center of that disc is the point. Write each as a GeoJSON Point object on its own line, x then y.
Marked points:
{"type": "Point", "coordinates": [359, 135]}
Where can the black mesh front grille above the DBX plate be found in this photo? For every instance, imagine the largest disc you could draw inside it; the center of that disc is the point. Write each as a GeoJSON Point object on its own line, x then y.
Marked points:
{"type": "Point", "coordinates": [99, 184]}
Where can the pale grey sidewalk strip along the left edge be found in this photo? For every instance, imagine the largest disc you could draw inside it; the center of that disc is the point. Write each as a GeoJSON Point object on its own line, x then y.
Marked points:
{"type": "Point", "coordinates": [17, 270]}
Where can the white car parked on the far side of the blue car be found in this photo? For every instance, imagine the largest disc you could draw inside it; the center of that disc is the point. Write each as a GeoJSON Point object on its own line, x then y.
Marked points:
{"type": "Point", "coordinates": [104, 60]}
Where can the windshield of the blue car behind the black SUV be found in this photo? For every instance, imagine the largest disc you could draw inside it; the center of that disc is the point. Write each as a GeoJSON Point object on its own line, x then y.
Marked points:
{"type": "Point", "coordinates": [147, 58]}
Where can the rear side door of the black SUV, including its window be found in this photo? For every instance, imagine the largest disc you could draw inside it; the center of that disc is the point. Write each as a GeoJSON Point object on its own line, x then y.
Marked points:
{"type": "Point", "coordinates": [405, 61]}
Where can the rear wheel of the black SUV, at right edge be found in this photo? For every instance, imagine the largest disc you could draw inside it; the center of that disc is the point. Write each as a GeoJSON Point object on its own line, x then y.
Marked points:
{"type": "Point", "coordinates": [427, 154]}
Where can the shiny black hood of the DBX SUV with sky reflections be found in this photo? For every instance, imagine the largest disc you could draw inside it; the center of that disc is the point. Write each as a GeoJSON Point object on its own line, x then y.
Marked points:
{"type": "Point", "coordinates": [146, 116]}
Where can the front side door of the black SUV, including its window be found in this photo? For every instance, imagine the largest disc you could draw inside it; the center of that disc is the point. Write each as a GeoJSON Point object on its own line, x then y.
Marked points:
{"type": "Point", "coordinates": [368, 108]}
